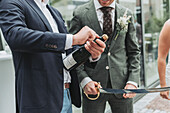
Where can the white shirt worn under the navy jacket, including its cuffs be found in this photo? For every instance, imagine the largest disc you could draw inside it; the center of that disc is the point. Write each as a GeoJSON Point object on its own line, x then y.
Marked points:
{"type": "Point", "coordinates": [53, 24]}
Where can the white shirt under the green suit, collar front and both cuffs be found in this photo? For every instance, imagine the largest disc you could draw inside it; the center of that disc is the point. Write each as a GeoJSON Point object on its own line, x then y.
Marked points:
{"type": "Point", "coordinates": [100, 19]}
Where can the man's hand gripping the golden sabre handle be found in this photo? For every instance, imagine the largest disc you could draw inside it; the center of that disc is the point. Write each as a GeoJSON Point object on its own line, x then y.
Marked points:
{"type": "Point", "coordinates": [90, 88]}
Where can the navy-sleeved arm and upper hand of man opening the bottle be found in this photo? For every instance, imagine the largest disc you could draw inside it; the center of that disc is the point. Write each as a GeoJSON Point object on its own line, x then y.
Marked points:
{"type": "Point", "coordinates": [23, 39]}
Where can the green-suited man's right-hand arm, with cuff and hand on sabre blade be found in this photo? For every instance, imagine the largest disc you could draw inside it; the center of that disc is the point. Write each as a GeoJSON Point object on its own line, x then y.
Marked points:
{"type": "Point", "coordinates": [133, 55]}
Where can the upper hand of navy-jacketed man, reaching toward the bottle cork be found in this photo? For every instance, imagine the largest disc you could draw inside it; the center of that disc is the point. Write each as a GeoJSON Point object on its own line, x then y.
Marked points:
{"type": "Point", "coordinates": [85, 34]}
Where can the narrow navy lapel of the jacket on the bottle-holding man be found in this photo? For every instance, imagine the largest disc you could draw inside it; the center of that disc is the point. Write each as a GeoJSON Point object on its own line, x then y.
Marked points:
{"type": "Point", "coordinates": [40, 13]}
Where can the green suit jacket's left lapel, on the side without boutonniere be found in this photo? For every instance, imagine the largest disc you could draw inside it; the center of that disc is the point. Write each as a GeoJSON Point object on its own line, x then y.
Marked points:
{"type": "Point", "coordinates": [92, 18]}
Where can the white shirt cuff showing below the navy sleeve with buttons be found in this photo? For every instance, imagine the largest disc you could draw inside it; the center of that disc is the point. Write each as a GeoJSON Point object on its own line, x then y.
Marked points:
{"type": "Point", "coordinates": [69, 41]}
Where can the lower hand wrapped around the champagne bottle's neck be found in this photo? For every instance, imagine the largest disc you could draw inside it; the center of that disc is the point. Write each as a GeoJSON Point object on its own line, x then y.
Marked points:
{"type": "Point", "coordinates": [94, 48]}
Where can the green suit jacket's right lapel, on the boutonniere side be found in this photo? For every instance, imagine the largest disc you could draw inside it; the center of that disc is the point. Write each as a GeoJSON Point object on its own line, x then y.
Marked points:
{"type": "Point", "coordinates": [118, 14]}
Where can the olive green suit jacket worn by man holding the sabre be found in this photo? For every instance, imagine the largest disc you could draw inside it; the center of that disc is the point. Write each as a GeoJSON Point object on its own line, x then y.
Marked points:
{"type": "Point", "coordinates": [121, 60]}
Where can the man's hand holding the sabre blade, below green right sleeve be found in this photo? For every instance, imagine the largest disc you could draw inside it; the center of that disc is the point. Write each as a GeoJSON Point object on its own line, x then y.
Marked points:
{"type": "Point", "coordinates": [129, 86]}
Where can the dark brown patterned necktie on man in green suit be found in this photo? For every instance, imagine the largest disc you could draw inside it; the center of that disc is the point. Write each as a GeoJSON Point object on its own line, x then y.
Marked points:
{"type": "Point", "coordinates": [107, 21]}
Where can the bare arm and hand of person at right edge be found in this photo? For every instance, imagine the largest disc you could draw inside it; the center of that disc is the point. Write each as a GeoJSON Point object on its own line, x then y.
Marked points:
{"type": "Point", "coordinates": [163, 49]}
